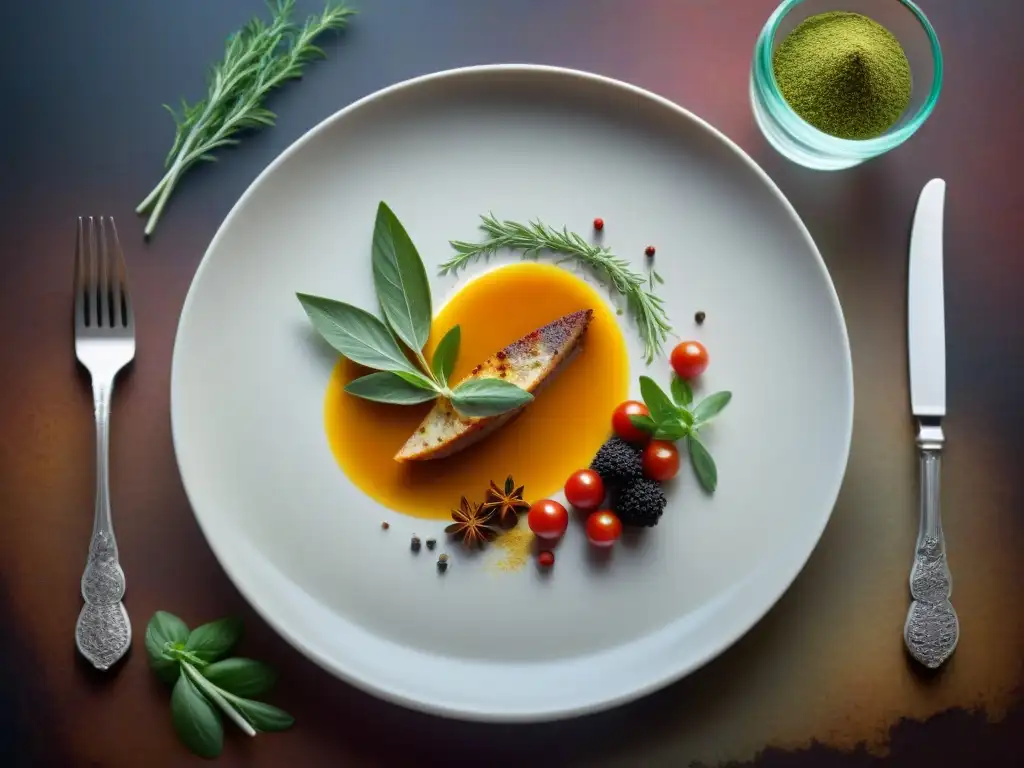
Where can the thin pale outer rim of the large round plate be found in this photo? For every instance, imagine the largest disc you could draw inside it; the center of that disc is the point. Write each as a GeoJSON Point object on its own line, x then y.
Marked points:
{"type": "Point", "coordinates": [673, 674]}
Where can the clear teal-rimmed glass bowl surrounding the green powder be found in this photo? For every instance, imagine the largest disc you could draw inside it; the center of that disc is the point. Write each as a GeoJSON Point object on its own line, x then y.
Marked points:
{"type": "Point", "coordinates": [804, 144]}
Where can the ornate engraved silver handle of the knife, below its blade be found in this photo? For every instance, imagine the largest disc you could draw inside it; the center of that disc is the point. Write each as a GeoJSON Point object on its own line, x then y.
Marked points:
{"type": "Point", "coordinates": [932, 628]}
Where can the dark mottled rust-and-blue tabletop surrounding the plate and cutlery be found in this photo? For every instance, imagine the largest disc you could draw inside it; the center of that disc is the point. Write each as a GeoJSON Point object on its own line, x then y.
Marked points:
{"type": "Point", "coordinates": [823, 681]}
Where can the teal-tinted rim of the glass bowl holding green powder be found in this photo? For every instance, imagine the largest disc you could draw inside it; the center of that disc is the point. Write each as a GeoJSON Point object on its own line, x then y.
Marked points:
{"type": "Point", "coordinates": [777, 103]}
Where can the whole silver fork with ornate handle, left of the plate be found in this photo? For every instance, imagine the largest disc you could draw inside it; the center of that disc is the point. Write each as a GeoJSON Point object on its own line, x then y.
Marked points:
{"type": "Point", "coordinates": [105, 344]}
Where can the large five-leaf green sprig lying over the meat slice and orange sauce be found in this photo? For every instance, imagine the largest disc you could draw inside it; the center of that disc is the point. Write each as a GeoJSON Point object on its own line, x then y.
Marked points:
{"type": "Point", "coordinates": [404, 294]}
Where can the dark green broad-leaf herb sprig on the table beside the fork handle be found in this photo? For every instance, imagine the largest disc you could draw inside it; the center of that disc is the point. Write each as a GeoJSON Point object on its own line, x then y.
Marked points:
{"type": "Point", "coordinates": [205, 681]}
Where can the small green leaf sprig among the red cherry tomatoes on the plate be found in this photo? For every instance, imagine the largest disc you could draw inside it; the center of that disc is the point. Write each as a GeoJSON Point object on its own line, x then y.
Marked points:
{"type": "Point", "coordinates": [676, 418]}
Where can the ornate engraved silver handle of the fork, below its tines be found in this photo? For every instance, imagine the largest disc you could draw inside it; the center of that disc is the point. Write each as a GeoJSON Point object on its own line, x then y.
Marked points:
{"type": "Point", "coordinates": [103, 632]}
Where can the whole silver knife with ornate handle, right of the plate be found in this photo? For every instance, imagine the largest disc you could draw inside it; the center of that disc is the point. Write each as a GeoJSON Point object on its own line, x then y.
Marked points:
{"type": "Point", "coordinates": [932, 629]}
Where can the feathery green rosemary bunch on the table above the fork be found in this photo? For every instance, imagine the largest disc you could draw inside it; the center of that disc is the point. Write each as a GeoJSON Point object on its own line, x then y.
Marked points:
{"type": "Point", "coordinates": [258, 59]}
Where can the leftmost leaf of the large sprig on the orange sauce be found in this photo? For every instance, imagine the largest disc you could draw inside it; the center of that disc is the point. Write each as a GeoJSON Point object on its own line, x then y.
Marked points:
{"type": "Point", "coordinates": [356, 333]}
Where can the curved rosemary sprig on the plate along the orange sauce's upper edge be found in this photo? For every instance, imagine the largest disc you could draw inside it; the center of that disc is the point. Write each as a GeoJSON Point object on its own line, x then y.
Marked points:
{"type": "Point", "coordinates": [648, 310]}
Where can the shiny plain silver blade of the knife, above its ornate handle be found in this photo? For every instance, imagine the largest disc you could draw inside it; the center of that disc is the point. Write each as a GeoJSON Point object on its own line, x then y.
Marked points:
{"type": "Point", "coordinates": [926, 306]}
